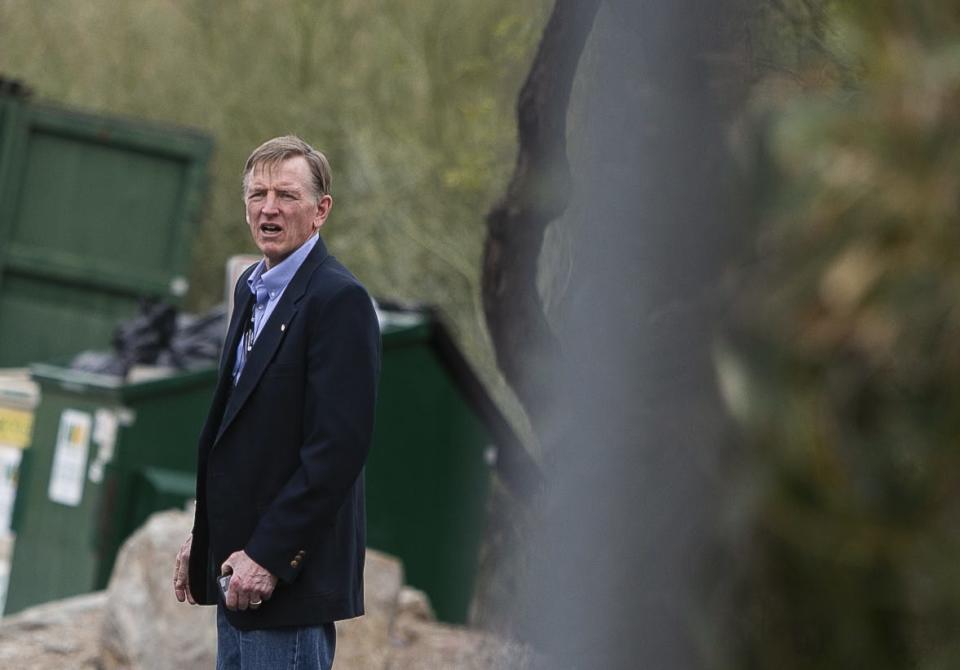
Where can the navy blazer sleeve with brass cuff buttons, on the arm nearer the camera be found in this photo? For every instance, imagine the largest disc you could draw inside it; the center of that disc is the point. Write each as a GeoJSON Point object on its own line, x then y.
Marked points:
{"type": "Point", "coordinates": [343, 367]}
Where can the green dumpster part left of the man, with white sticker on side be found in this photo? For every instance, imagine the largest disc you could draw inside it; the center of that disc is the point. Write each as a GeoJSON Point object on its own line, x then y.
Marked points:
{"type": "Point", "coordinates": [104, 455]}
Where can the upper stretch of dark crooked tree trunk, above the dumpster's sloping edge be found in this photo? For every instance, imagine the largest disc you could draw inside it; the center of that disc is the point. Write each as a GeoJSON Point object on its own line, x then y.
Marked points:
{"type": "Point", "coordinates": [525, 345]}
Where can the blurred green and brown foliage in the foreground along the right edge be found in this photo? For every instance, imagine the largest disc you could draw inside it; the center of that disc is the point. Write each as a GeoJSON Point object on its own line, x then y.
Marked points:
{"type": "Point", "coordinates": [844, 367]}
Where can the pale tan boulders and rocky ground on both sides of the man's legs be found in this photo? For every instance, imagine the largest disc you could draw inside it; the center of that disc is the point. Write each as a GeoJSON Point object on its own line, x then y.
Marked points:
{"type": "Point", "coordinates": [136, 624]}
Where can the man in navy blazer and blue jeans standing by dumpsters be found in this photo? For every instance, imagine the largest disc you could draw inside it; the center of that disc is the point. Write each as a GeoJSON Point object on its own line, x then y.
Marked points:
{"type": "Point", "coordinates": [280, 504]}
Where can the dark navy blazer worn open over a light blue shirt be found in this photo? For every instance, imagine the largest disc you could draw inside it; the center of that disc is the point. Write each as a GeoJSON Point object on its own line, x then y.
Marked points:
{"type": "Point", "coordinates": [281, 455]}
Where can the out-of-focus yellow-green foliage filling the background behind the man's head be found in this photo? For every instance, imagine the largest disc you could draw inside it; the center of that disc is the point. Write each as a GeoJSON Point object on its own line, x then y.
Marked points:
{"type": "Point", "coordinates": [412, 102]}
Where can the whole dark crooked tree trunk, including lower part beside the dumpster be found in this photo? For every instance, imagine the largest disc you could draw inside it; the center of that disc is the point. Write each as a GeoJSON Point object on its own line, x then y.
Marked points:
{"type": "Point", "coordinates": [525, 346]}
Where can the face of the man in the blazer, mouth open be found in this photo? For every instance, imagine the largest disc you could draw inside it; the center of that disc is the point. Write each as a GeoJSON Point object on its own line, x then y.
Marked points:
{"type": "Point", "coordinates": [282, 210]}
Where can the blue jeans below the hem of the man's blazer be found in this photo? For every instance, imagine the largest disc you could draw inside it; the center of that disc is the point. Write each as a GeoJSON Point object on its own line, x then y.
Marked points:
{"type": "Point", "coordinates": [307, 648]}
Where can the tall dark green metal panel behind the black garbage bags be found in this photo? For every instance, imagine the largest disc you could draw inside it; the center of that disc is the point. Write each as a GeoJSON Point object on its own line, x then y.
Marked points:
{"type": "Point", "coordinates": [97, 213]}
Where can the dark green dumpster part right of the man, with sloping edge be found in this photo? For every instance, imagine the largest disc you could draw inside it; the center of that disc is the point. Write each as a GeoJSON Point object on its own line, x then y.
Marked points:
{"type": "Point", "coordinates": [437, 437]}
